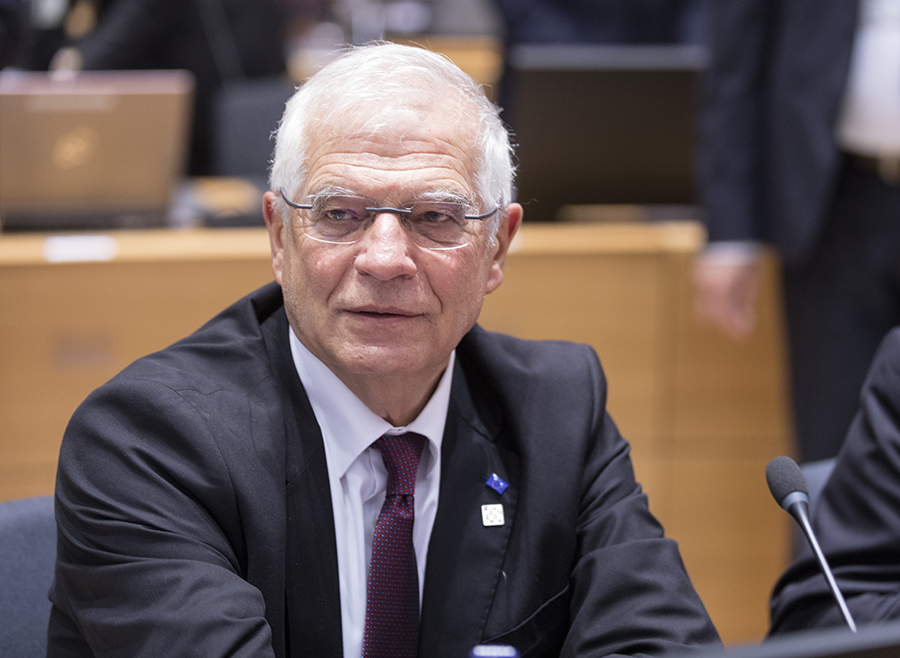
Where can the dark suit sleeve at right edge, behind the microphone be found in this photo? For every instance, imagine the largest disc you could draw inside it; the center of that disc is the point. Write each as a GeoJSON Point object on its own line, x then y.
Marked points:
{"type": "Point", "coordinates": [857, 518]}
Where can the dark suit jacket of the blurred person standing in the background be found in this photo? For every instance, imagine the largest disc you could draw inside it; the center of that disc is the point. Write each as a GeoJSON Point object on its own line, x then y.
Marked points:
{"type": "Point", "coordinates": [768, 159]}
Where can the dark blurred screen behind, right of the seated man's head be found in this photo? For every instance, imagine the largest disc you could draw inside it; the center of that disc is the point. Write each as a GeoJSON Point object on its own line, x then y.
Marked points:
{"type": "Point", "coordinates": [603, 125]}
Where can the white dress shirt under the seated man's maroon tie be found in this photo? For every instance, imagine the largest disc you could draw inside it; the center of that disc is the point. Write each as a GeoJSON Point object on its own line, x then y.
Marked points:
{"type": "Point", "coordinates": [358, 478]}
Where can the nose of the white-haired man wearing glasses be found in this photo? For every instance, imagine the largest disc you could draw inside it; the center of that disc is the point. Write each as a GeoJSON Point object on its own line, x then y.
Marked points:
{"type": "Point", "coordinates": [386, 248]}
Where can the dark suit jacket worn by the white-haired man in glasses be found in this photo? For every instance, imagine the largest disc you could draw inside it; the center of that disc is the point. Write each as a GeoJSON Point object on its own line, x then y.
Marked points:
{"type": "Point", "coordinates": [195, 517]}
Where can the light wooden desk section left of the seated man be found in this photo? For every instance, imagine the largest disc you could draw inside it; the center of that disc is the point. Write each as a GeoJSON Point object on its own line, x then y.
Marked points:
{"type": "Point", "coordinates": [65, 328]}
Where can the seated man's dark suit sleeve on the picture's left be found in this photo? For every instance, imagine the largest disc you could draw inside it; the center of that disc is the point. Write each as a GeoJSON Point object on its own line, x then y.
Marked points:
{"type": "Point", "coordinates": [151, 553]}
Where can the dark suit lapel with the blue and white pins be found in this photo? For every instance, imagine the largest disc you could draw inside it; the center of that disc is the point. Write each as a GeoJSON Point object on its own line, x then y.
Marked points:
{"type": "Point", "coordinates": [465, 557]}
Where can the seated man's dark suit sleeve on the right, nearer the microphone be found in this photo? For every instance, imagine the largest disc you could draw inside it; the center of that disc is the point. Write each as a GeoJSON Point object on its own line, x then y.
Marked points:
{"type": "Point", "coordinates": [630, 590]}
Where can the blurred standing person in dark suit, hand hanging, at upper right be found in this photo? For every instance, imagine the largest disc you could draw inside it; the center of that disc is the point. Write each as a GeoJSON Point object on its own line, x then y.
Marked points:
{"type": "Point", "coordinates": [800, 149]}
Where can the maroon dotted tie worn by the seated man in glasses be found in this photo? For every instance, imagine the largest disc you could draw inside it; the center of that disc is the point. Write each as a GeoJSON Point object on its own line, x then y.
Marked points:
{"type": "Point", "coordinates": [392, 598]}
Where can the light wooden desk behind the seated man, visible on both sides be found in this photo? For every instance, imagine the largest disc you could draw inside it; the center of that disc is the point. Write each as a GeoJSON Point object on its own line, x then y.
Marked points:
{"type": "Point", "coordinates": [704, 414]}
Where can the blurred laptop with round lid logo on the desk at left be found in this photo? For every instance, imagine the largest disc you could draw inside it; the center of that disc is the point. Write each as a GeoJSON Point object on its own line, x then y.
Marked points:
{"type": "Point", "coordinates": [96, 150]}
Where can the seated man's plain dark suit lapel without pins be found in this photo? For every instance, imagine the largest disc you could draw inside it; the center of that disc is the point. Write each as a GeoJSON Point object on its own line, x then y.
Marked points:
{"type": "Point", "coordinates": [312, 590]}
